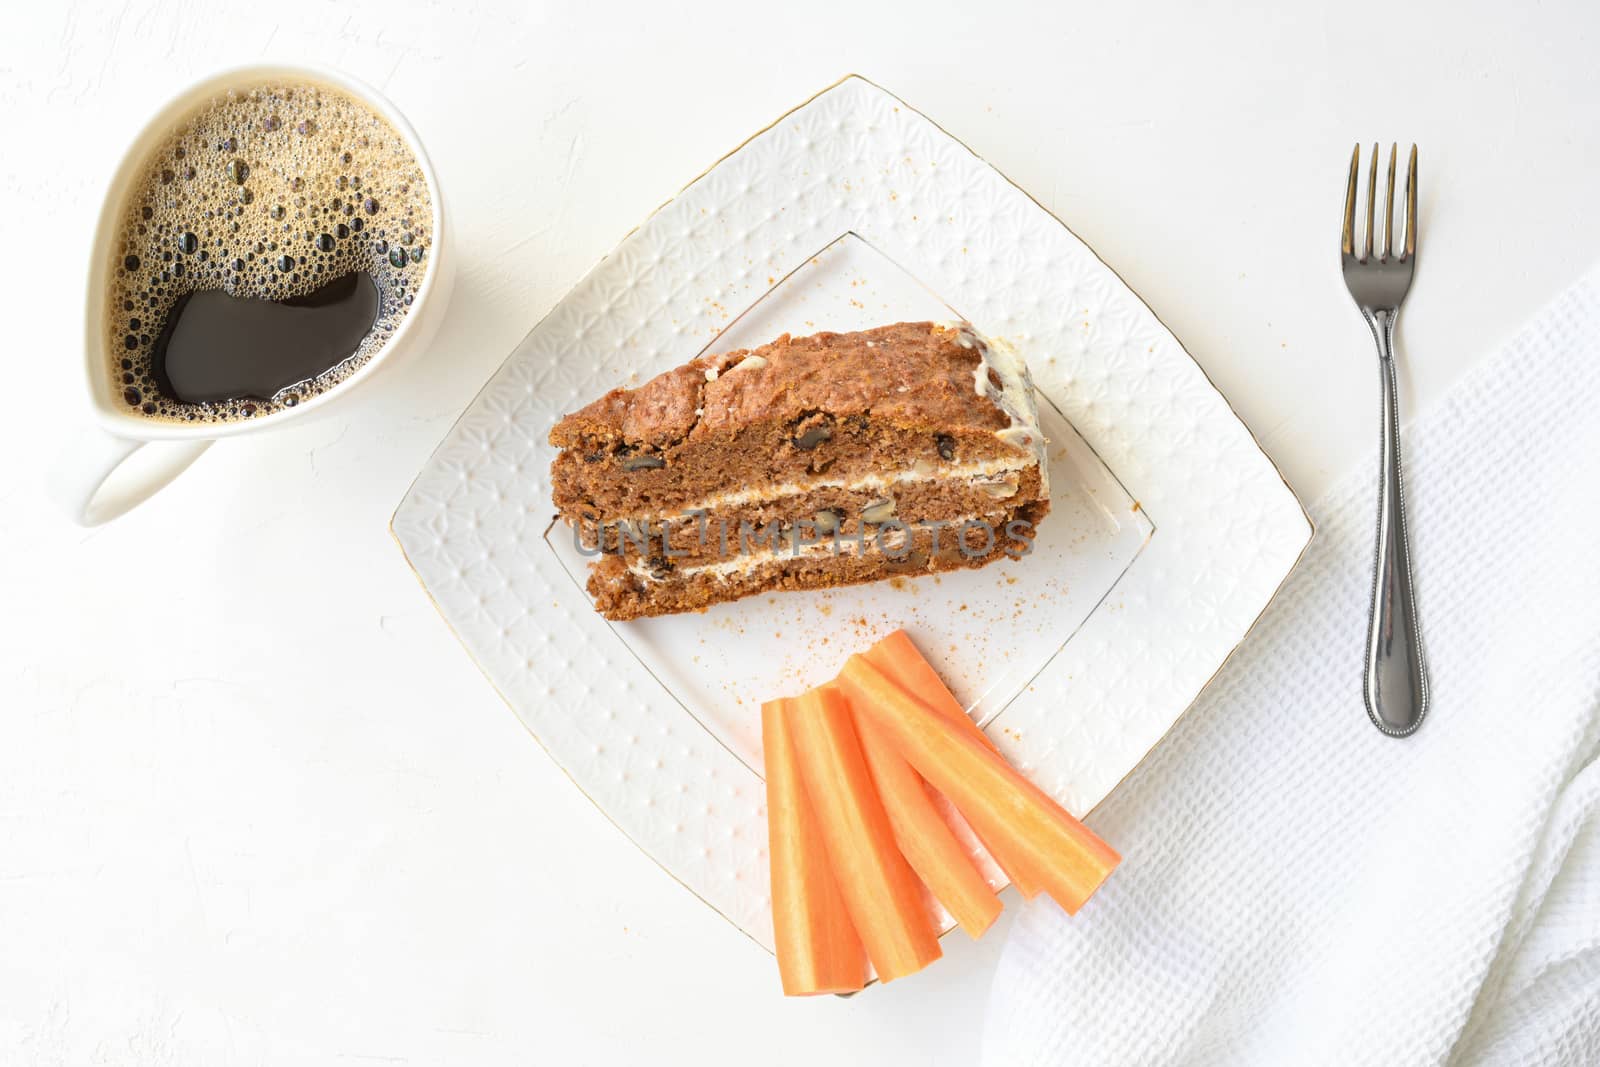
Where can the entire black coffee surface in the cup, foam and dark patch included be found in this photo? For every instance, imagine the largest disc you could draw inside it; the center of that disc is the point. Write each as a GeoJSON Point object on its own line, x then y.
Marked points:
{"type": "Point", "coordinates": [271, 246]}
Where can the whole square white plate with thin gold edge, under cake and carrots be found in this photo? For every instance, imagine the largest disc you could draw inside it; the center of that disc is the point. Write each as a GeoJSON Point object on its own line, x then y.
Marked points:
{"type": "Point", "coordinates": [1170, 527]}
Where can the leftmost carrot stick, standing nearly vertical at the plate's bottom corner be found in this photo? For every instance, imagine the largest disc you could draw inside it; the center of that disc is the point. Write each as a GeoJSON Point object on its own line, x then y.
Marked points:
{"type": "Point", "coordinates": [818, 949]}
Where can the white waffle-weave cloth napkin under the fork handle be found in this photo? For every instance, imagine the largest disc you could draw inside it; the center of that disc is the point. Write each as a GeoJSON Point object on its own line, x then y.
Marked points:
{"type": "Point", "coordinates": [1302, 890]}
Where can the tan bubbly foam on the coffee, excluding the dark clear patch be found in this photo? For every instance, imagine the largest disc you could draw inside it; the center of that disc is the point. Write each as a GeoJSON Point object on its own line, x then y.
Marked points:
{"type": "Point", "coordinates": [270, 193]}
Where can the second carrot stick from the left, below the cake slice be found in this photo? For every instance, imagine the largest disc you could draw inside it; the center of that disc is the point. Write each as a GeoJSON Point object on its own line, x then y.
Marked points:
{"type": "Point", "coordinates": [881, 892]}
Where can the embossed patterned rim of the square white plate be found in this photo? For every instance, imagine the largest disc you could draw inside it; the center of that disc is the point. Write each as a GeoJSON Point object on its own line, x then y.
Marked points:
{"type": "Point", "coordinates": [854, 159]}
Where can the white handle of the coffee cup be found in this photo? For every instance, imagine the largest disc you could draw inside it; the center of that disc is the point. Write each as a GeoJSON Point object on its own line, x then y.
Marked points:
{"type": "Point", "coordinates": [95, 482]}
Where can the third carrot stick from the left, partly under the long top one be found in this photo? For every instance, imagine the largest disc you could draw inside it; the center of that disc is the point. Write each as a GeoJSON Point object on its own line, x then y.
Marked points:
{"type": "Point", "coordinates": [924, 839]}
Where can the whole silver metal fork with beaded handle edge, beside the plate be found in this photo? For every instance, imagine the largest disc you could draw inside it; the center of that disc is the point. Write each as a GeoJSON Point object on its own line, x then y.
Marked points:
{"type": "Point", "coordinates": [1396, 684]}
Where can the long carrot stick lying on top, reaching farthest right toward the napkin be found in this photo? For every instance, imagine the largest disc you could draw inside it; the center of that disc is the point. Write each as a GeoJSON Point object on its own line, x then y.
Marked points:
{"type": "Point", "coordinates": [1025, 821]}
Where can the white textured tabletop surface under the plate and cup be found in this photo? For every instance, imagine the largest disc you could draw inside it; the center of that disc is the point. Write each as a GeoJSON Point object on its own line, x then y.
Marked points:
{"type": "Point", "coordinates": [257, 805]}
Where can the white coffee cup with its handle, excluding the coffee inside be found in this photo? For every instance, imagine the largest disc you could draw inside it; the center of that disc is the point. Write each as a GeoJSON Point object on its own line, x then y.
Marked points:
{"type": "Point", "coordinates": [126, 458]}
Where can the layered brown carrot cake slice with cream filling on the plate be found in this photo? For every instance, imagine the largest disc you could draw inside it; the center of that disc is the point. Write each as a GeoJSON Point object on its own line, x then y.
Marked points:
{"type": "Point", "coordinates": [802, 465]}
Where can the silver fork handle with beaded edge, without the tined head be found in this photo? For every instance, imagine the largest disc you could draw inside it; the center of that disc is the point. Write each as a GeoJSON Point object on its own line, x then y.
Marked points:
{"type": "Point", "coordinates": [1396, 685]}
